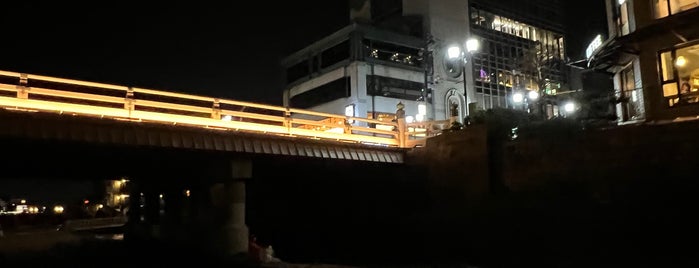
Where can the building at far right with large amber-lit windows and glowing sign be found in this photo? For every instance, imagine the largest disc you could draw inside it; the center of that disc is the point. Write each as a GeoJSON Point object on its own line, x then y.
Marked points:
{"type": "Point", "coordinates": [653, 53]}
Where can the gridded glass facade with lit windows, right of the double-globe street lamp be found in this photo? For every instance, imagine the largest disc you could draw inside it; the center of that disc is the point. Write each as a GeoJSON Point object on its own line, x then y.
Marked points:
{"type": "Point", "coordinates": [514, 57]}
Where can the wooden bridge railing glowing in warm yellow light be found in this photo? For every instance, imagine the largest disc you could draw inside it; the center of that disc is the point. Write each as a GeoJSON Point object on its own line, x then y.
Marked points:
{"type": "Point", "coordinates": [37, 93]}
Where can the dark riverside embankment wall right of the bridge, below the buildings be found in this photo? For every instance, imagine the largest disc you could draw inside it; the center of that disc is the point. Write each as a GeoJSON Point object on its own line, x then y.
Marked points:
{"type": "Point", "coordinates": [614, 196]}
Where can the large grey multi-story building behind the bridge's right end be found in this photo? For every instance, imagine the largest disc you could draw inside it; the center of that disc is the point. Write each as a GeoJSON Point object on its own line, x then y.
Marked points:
{"type": "Point", "coordinates": [422, 53]}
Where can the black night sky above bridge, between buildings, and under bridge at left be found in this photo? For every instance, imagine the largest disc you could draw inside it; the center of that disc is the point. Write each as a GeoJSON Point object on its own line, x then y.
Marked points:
{"type": "Point", "coordinates": [212, 49]}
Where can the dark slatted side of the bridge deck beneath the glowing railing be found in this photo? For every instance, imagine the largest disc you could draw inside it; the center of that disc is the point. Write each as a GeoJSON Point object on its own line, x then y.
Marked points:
{"type": "Point", "coordinates": [46, 128]}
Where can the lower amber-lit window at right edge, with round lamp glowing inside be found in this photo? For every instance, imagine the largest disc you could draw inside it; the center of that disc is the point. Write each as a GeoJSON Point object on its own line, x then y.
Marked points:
{"type": "Point", "coordinates": [679, 75]}
